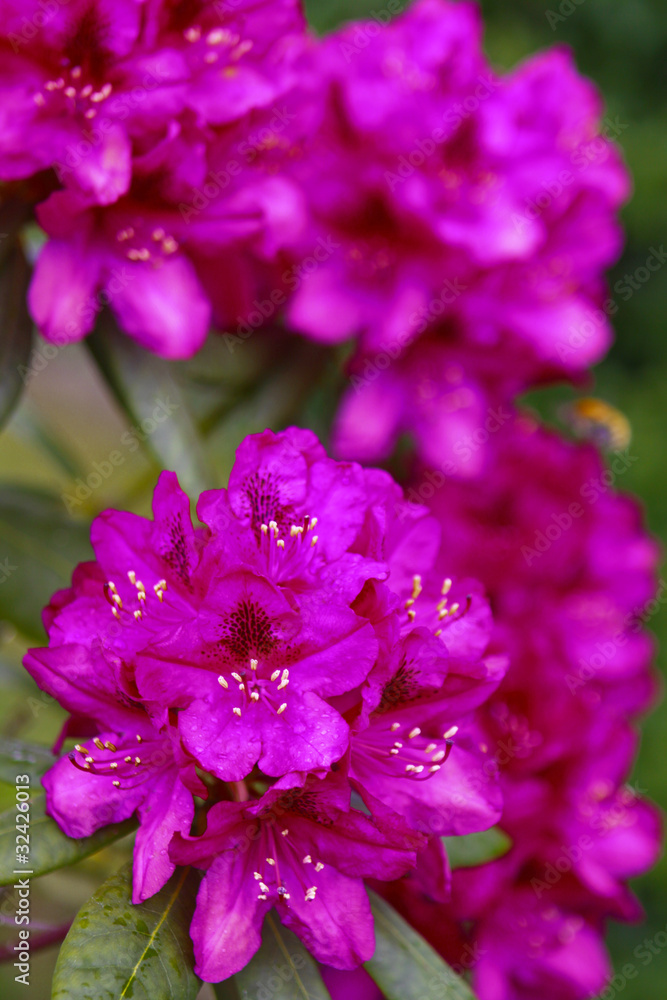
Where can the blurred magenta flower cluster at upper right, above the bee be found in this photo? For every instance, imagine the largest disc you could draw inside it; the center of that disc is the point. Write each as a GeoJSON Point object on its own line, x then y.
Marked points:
{"type": "Point", "coordinates": [473, 217]}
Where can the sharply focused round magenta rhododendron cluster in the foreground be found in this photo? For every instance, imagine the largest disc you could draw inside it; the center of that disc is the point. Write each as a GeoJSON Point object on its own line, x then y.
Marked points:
{"type": "Point", "coordinates": [283, 696]}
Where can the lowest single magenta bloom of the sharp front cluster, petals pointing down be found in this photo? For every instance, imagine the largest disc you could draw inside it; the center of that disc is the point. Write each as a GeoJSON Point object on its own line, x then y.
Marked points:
{"type": "Point", "coordinates": [302, 849]}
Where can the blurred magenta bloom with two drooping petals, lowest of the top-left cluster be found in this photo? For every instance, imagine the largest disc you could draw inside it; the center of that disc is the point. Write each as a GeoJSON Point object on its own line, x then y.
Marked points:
{"type": "Point", "coordinates": [151, 256]}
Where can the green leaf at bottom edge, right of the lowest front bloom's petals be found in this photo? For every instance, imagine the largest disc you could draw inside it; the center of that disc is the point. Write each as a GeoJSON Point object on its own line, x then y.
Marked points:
{"type": "Point", "coordinates": [404, 966]}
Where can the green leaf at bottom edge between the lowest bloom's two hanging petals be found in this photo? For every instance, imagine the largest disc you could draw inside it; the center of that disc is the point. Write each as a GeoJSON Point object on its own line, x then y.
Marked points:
{"type": "Point", "coordinates": [282, 966]}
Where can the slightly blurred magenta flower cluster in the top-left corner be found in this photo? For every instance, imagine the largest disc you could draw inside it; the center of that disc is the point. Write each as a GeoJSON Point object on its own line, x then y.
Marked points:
{"type": "Point", "coordinates": [136, 107]}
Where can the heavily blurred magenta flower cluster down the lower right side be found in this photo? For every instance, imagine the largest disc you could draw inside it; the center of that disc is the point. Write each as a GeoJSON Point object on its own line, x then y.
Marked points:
{"type": "Point", "coordinates": [571, 577]}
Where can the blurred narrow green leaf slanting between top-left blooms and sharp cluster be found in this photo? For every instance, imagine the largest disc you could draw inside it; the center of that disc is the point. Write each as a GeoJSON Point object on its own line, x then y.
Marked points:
{"type": "Point", "coordinates": [148, 390]}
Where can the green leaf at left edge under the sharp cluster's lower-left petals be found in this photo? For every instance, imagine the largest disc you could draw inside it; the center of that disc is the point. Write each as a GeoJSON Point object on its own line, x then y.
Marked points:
{"type": "Point", "coordinates": [50, 848]}
